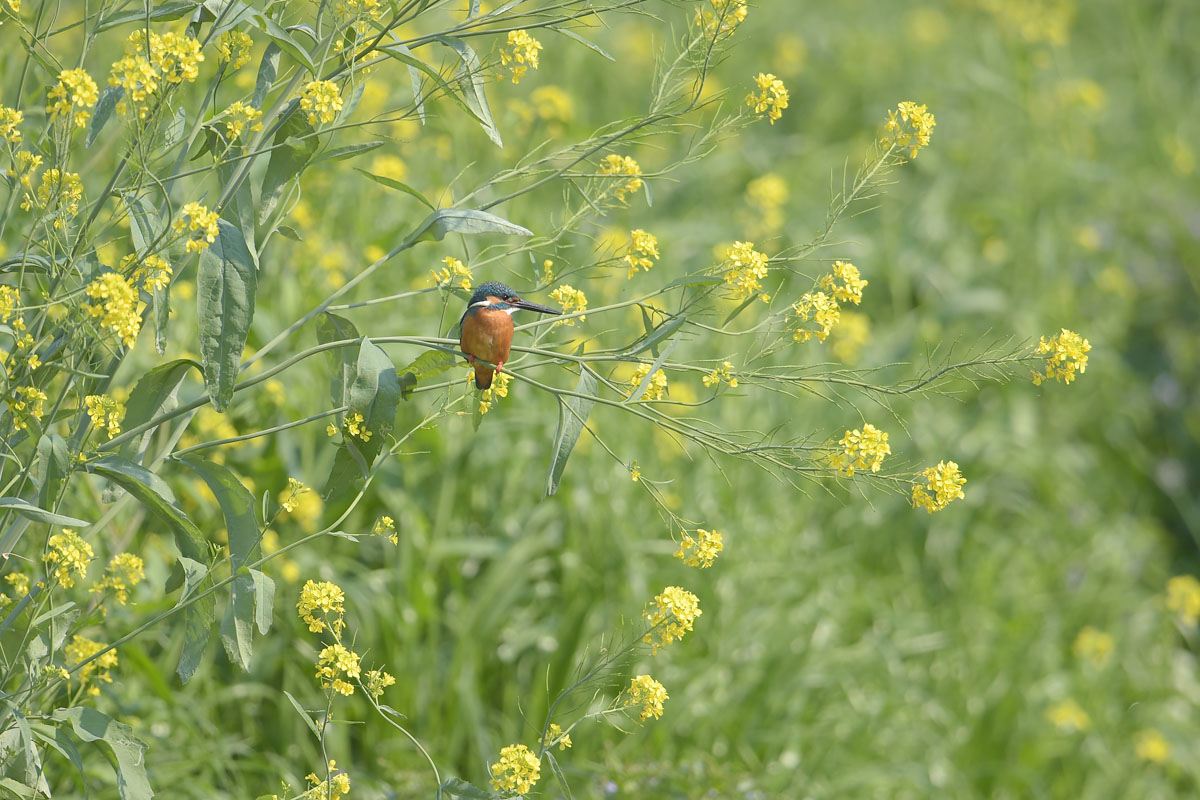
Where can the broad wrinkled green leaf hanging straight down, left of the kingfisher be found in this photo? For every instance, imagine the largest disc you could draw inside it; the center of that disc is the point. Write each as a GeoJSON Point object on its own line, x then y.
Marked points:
{"type": "Point", "coordinates": [225, 302]}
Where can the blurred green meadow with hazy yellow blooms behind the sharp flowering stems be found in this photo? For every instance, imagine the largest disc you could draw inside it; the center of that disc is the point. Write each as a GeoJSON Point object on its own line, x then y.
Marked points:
{"type": "Point", "coordinates": [849, 646]}
